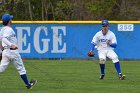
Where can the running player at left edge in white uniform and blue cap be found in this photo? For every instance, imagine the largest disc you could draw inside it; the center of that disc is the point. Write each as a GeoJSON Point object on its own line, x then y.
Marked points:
{"type": "Point", "coordinates": [10, 53]}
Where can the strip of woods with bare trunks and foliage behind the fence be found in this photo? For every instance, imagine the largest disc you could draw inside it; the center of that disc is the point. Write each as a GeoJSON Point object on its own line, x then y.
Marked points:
{"type": "Point", "coordinates": [71, 9]}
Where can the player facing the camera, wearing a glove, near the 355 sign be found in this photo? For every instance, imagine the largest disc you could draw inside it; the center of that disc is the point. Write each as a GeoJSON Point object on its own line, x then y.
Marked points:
{"type": "Point", "coordinates": [105, 41]}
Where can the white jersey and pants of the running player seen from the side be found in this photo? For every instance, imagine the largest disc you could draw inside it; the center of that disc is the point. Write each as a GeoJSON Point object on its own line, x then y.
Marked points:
{"type": "Point", "coordinates": [9, 55]}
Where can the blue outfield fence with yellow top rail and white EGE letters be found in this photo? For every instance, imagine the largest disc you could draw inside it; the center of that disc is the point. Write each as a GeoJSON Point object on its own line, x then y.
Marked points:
{"type": "Point", "coordinates": [71, 39]}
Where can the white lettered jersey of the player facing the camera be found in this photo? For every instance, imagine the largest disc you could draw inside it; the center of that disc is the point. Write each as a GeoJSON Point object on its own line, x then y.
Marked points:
{"type": "Point", "coordinates": [100, 40]}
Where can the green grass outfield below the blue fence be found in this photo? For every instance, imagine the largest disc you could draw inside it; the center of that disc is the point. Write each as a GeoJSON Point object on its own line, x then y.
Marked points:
{"type": "Point", "coordinates": [72, 76]}
